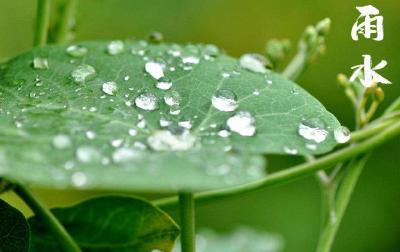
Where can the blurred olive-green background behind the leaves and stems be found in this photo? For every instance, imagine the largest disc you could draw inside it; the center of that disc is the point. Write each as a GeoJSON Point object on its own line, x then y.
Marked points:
{"type": "Point", "coordinates": [372, 222]}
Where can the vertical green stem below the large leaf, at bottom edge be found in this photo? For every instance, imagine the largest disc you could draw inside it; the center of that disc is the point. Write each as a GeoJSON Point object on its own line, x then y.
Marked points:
{"type": "Point", "coordinates": [187, 218]}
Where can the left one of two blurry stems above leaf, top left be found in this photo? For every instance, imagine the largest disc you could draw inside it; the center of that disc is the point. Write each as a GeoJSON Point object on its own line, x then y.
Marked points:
{"type": "Point", "coordinates": [42, 22]}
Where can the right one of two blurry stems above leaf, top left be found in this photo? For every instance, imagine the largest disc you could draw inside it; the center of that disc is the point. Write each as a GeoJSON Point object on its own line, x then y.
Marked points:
{"type": "Point", "coordinates": [63, 30]}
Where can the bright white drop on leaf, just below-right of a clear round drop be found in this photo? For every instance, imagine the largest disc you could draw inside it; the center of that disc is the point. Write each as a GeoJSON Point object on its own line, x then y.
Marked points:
{"type": "Point", "coordinates": [242, 123]}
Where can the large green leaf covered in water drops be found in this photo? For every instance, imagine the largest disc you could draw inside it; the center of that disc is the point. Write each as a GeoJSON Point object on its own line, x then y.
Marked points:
{"type": "Point", "coordinates": [57, 129]}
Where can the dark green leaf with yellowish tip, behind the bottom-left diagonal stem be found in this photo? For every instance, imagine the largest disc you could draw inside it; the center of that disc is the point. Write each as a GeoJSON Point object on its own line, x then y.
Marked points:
{"type": "Point", "coordinates": [109, 224]}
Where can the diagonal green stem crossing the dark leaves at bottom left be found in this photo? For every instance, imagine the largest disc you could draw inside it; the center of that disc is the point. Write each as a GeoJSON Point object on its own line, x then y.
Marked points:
{"type": "Point", "coordinates": [48, 219]}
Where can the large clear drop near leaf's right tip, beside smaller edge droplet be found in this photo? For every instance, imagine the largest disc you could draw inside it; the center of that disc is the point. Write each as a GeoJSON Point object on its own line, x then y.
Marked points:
{"type": "Point", "coordinates": [313, 130]}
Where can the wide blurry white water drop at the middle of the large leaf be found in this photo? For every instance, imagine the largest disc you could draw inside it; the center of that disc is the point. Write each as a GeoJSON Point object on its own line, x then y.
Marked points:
{"type": "Point", "coordinates": [165, 140]}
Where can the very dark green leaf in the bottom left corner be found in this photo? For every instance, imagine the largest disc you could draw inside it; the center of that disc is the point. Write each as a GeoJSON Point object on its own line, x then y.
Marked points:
{"type": "Point", "coordinates": [14, 229]}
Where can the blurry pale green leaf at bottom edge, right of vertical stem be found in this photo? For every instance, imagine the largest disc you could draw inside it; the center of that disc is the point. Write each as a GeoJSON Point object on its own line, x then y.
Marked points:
{"type": "Point", "coordinates": [242, 239]}
